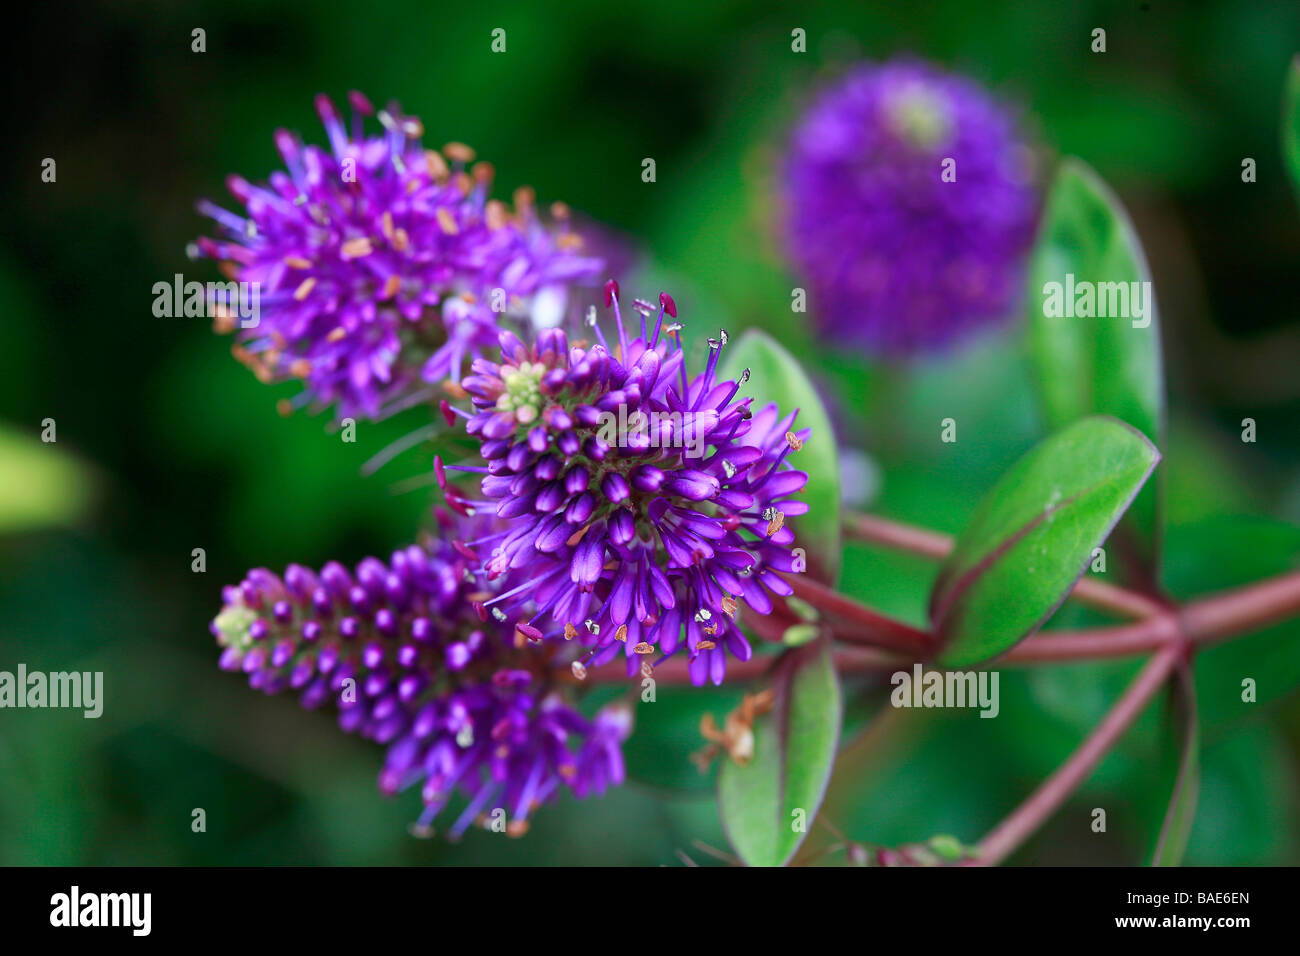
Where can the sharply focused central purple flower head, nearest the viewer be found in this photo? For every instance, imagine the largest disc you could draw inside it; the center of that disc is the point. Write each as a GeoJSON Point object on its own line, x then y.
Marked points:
{"type": "Point", "coordinates": [640, 504]}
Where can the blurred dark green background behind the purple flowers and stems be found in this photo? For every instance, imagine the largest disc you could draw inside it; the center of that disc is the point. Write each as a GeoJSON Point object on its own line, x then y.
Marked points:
{"type": "Point", "coordinates": [164, 444]}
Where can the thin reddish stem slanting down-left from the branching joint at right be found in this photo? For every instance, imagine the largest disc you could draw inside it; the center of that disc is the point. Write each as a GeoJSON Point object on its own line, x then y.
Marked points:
{"type": "Point", "coordinates": [1052, 793]}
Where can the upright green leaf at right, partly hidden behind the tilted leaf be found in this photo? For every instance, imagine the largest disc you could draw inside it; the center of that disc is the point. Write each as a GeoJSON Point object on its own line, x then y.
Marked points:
{"type": "Point", "coordinates": [1099, 366]}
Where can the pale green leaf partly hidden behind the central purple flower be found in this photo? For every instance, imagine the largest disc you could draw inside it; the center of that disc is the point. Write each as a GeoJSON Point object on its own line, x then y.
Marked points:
{"type": "Point", "coordinates": [777, 377]}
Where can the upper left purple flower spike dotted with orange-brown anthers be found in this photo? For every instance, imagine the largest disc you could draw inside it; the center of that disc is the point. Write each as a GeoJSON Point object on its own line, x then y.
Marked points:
{"type": "Point", "coordinates": [382, 263]}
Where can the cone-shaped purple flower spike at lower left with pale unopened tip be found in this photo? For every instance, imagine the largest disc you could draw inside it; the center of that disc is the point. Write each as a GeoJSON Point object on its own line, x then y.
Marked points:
{"type": "Point", "coordinates": [415, 663]}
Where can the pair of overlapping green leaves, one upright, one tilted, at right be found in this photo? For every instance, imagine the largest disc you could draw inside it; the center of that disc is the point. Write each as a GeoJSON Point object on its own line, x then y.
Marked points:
{"type": "Point", "coordinates": [1102, 388]}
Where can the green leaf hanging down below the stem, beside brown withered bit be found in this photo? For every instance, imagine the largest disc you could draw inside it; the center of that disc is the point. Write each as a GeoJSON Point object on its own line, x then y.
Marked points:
{"type": "Point", "coordinates": [769, 804]}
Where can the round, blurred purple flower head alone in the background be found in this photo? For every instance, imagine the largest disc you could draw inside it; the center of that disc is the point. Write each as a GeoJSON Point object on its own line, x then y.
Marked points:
{"type": "Point", "coordinates": [896, 258]}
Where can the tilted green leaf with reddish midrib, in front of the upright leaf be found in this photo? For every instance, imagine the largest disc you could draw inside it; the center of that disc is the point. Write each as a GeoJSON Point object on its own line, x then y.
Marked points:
{"type": "Point", "coordinates": [1033, 537]}
